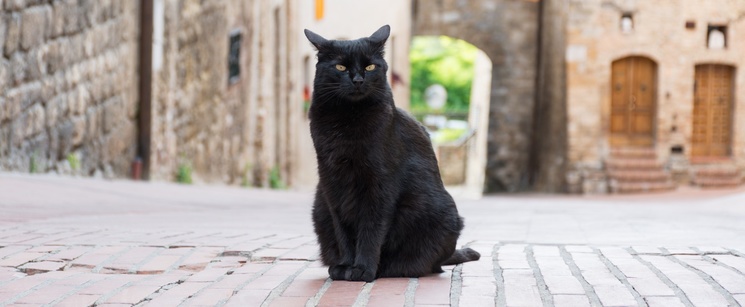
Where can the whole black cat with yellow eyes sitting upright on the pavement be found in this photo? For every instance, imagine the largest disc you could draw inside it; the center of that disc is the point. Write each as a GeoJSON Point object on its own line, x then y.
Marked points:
{"type": "Point", "coordinates": [381, 209]}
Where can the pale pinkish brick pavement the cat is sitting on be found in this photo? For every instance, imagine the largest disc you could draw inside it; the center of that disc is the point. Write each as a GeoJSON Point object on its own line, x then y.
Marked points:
{"type": "Point", "coordinates": [82, 242]}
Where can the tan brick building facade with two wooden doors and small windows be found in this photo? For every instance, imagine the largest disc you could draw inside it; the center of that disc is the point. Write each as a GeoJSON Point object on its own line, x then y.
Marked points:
{"type": "Point", "coordinates": [643, 79]}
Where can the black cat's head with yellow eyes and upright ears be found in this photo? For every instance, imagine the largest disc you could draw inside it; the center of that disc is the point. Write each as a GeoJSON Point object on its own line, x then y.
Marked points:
{"type": "Point", "coordinates": [350, 69]}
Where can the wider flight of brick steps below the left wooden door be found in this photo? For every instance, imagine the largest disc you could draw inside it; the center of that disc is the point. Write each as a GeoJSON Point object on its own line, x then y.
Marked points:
{"type": "Point", "coordinates": [636, 170]}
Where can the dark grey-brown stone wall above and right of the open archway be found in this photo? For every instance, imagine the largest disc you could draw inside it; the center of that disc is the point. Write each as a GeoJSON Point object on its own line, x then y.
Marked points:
{"type": "Point", "coordinates": [506, 30]}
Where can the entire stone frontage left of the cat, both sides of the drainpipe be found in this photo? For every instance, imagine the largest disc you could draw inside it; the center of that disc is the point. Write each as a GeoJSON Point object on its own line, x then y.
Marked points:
{"type": "Point", "coordinates": [70, 92]}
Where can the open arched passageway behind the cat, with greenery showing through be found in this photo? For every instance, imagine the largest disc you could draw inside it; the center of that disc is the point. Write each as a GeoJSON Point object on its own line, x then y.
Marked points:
{"type": "Point", "coordinates": [459, 128]}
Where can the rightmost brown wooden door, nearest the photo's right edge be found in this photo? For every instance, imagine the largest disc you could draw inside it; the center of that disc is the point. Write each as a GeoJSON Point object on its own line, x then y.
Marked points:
{"type": "Point", "coordinates": [712, 111]}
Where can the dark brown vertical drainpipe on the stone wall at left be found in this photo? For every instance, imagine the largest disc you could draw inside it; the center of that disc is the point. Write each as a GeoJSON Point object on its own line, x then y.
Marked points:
{"type": "Point", "coordinates": [145, 86]}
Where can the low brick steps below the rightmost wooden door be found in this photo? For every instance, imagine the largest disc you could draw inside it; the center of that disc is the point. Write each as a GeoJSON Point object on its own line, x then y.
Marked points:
{"type": "Point", "coordinates": [716, 175]}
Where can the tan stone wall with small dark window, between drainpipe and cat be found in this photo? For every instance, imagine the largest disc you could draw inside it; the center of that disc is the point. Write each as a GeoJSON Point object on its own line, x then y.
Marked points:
{"type": "Point", "coordinates": [229, 132]}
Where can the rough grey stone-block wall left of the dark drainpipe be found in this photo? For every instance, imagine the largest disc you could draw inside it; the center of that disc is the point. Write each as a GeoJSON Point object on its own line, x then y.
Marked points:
{"type": "Point", "coordinates": [68, 86]}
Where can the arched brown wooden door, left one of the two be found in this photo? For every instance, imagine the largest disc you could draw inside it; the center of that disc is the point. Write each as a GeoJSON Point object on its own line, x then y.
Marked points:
{"type": "Point", "coordinates": [633, 102]}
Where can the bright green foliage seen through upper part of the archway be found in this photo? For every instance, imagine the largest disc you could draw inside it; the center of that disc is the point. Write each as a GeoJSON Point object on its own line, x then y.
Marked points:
{"type": "Point", "coordinates": [446, 61]}
